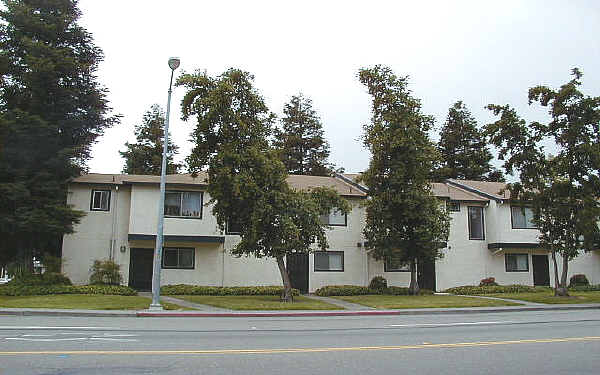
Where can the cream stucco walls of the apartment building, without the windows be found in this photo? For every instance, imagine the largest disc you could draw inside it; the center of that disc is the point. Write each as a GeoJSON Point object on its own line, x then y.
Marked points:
{"type": "Point", "coordinates": [125, 233]}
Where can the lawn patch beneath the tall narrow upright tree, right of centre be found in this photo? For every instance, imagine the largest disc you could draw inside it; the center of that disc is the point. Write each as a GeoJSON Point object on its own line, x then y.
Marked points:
{"type": "Point", "coordinates": [418, 302]}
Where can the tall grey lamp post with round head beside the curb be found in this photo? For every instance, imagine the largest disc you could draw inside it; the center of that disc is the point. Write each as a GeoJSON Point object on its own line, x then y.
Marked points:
{"type": "Point", "coordinates": [155, 305]}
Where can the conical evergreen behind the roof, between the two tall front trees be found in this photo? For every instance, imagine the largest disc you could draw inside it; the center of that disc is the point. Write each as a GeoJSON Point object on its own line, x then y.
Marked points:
{"type": "Point", "coordinates": [302, 147]}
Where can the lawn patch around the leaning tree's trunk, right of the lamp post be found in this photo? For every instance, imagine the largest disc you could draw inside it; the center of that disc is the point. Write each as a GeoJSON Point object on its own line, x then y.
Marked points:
{"type": "Point", "coordinates": [260, 303]}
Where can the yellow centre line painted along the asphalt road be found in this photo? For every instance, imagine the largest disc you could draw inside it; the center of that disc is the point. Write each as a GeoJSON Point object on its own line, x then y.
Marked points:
{"type": "Point", "coordinates": [308, 350]}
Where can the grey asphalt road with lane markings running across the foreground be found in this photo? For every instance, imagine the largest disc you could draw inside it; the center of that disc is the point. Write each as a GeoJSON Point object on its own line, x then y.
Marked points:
{"type": "Point", "coordinates": [553, 342]}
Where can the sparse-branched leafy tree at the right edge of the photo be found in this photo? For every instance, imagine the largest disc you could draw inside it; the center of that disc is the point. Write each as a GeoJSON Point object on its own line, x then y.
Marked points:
{"type": "Point", "coordinates": [563, 189]}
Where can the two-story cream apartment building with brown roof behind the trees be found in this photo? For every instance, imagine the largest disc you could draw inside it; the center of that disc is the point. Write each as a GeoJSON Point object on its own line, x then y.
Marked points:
{"type": "Point", "coordinates": [489, 237]}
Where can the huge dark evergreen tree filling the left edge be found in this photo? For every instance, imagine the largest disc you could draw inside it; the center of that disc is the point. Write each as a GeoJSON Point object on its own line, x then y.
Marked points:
{"type": "Point", "coordinates": [52, 109]}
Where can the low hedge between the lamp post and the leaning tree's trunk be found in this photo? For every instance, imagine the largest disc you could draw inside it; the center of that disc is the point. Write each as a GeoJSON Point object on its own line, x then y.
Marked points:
{"type": "Point", "coordinates": [198, 290]}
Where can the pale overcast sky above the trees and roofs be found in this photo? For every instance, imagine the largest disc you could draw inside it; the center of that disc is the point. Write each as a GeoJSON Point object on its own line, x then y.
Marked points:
{"type": "Point", "coordinates": [479, 52]}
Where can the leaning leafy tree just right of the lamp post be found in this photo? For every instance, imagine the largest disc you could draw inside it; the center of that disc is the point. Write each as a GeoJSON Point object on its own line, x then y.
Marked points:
{"type": "Point", "coordinates": [246, 180]}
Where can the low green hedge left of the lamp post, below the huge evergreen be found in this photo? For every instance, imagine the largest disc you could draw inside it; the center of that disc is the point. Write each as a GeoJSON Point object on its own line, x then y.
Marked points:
{"type": "Point", "coordinates": [39, 290]}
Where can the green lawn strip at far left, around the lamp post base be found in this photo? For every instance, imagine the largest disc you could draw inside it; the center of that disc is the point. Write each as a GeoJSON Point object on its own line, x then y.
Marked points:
{"type": "Point", "coordinates": [82, 301]}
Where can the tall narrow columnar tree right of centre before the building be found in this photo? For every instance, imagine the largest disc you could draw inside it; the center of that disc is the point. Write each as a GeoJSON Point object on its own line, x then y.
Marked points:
{"type": "Point", "coordinates": [405, 221]}
